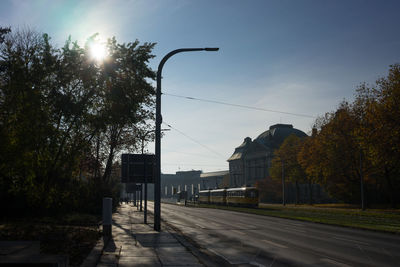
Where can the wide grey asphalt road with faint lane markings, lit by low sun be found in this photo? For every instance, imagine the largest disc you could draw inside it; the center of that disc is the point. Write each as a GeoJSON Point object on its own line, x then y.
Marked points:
{"type": "Point", "coordinates": [246, 239]}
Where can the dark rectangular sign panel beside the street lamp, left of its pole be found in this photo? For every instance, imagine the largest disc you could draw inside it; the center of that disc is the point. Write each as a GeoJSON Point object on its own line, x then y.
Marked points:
{"type": "Point", "coordinates": [136, 168]}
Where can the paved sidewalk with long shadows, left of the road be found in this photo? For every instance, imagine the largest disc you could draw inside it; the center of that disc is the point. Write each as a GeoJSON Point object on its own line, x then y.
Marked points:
{"type": "Point", "coordinates": [136, 244]}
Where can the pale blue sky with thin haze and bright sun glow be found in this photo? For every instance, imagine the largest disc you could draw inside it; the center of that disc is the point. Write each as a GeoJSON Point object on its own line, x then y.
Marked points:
{"type": "Point", "coordinates": [300, 56]}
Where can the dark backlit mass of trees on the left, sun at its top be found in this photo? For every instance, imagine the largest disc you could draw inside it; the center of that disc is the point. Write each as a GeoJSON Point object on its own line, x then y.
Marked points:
{"type": "Point", "coordinates": [64, 116]}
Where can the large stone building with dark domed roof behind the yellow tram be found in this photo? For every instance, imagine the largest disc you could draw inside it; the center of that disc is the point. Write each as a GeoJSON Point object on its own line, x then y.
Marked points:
{"type": "Point", "coordinates": [251, 160]}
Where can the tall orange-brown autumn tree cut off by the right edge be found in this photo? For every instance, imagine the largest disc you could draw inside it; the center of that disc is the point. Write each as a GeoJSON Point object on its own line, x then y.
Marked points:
{"type": "Point", "coordinates": [380, 132]}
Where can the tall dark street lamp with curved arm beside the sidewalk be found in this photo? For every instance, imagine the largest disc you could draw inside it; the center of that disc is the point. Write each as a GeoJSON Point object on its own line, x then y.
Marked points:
{"type": "Point", "coordinates": [157, 180]}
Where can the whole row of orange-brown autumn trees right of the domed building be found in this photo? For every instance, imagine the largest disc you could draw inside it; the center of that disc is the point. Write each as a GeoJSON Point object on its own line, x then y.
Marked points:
{"type": "Point", "coordinates": [360, 141]}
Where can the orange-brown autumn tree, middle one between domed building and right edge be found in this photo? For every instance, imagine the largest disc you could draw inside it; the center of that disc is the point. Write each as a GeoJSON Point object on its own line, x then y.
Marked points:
{"type": "Point", "coordinates": [338, 151]}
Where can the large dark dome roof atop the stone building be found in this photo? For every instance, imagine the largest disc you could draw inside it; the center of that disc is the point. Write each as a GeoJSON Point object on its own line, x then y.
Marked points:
{"type": "Point", "coordinates": [276, 134]}
